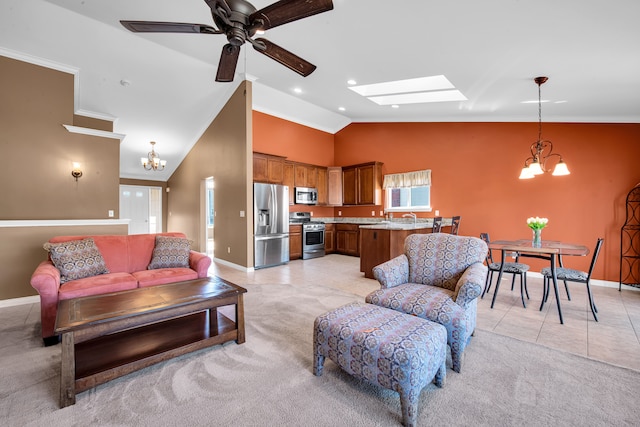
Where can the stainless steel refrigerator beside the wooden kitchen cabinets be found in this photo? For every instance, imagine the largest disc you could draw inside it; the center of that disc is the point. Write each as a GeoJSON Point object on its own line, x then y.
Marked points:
{"type": "Point", "coordinates": [270, 224]}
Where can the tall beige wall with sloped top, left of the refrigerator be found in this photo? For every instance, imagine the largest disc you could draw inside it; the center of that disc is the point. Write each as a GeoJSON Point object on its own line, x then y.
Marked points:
{"type": "Point", "coordinates": [224, 153]}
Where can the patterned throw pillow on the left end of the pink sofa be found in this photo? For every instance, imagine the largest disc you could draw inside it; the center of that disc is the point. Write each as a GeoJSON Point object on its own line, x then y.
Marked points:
{"type": "Point", "coordinates": [76, 259]}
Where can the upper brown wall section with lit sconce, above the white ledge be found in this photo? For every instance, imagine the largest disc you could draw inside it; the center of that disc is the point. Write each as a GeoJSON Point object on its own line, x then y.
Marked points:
{"type": "Point", "coordinates": [37, 151]}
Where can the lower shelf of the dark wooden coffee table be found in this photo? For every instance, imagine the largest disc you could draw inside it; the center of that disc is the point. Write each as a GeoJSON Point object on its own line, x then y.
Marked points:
{"type": "Point", "coordinates": [111, 356]}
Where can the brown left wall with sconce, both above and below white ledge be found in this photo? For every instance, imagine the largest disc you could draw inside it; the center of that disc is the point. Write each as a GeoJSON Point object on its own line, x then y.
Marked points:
{"type": "Point", "coordinates": [35, 179]}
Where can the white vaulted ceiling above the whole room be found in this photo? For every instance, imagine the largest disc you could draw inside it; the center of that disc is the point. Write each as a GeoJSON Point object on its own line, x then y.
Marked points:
{"type": "Point", "coordinates": [161, 87]}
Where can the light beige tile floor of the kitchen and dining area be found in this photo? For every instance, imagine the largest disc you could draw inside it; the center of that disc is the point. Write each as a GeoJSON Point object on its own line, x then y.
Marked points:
{"type": "Point", "coordinates": [615, 338]}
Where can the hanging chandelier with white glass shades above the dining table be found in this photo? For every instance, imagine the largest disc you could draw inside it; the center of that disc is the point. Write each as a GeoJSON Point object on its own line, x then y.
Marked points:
{"type": "Point", "coordinates": [542, 150]}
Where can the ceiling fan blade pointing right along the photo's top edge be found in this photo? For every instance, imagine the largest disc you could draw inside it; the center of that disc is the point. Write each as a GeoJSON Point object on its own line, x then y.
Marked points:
{"type": "Point", "coordinates": [285, 11]}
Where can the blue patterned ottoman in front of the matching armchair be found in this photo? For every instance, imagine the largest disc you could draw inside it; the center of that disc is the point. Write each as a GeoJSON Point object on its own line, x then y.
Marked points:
{"type": "Point", "coordinates": [384, 347]}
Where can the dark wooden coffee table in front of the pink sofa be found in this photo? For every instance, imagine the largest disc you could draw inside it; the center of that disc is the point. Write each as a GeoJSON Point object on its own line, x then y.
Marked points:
{"type": "Point", "coordinates": [107, 336]}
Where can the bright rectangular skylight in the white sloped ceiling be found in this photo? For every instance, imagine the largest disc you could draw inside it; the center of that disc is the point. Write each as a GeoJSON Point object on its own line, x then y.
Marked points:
{"type": "Point", "coordinates": [411, 91]}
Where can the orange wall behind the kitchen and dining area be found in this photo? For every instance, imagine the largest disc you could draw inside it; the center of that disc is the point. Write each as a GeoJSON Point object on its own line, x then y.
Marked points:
{"type": "Point", "coordinates": [475, 168]}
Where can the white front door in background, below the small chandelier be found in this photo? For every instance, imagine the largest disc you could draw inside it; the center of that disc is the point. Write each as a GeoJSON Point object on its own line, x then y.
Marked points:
{"type": "Point", "coordinates": [143, 206]}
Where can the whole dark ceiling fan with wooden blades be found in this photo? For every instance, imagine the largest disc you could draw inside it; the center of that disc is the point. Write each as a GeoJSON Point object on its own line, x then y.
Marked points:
{"type": "Point", "coordinates": [240, 21]}
